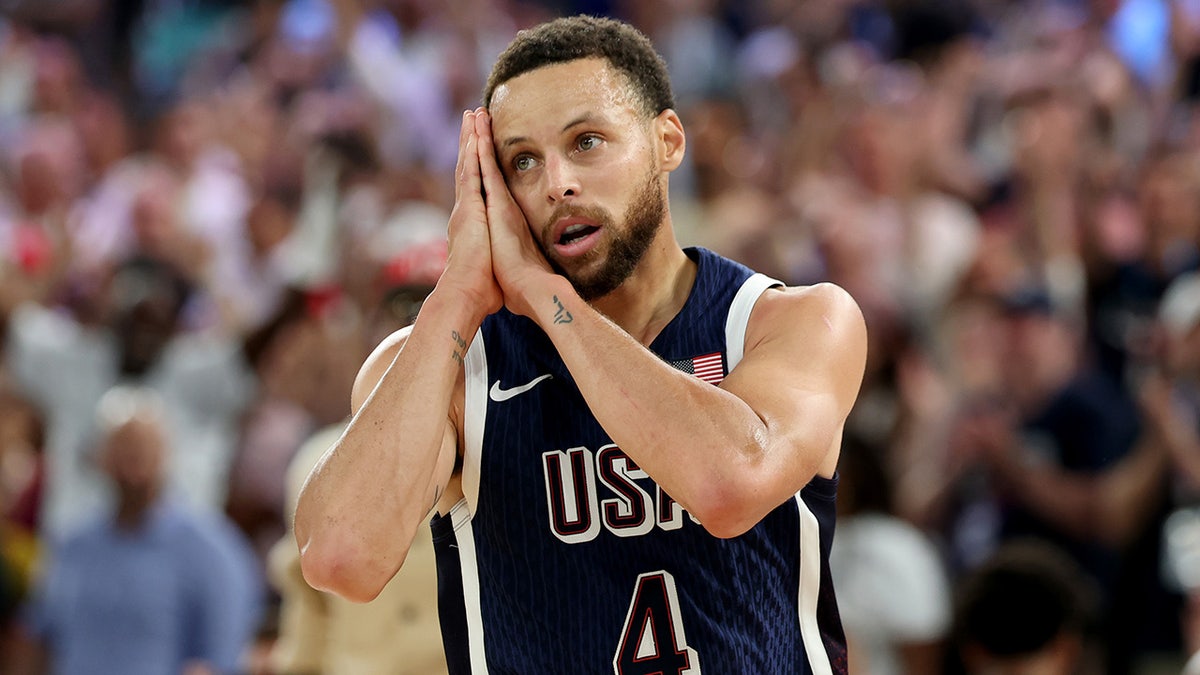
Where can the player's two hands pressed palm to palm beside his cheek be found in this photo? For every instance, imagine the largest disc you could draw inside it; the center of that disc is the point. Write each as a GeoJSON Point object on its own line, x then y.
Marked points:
{"type": "Point", "coordinates": [493, 258]}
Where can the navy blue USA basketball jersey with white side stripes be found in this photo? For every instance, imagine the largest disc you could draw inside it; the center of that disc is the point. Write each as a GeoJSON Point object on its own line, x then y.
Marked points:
{"type": "Point", "coordinates": [566, 558]}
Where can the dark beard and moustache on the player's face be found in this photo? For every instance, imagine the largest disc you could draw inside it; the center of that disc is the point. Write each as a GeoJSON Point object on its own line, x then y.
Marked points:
{"type": "Point", "coordinates": [627, 247]}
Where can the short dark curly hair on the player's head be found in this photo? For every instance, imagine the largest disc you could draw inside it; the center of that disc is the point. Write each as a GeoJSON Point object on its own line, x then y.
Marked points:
{"type": "Point", "coordinates": [571, 39]}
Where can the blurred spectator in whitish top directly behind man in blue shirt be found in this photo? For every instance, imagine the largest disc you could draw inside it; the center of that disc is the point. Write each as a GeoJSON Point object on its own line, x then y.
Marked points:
{"type": "Point", "coordinates": [65, 368]}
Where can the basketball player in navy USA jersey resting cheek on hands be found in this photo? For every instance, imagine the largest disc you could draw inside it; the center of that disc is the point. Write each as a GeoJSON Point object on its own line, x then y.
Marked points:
{"type": "Point", "coordinates": [602, 506]}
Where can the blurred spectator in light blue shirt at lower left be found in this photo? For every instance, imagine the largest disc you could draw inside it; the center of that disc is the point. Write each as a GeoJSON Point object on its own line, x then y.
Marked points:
{"type": "Point", "coordinates": [149, 588]}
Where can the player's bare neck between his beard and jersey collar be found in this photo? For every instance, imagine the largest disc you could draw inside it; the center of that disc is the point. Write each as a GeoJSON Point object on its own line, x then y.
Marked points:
{"type": "Point", "coordinates": [656, 292]}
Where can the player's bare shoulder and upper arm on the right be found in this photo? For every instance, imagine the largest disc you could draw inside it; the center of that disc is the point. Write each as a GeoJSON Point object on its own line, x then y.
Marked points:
{"type": "Point", "coordinates": [806, 355]}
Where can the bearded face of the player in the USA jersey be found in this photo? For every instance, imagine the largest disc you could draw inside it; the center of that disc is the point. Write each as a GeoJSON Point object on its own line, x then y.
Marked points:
{"type": "Point", "coordinates": [580, 159]}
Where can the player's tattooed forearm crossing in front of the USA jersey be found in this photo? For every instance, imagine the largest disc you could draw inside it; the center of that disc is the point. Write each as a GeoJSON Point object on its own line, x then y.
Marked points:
{"type": "Point", "coordinates": [701, 444]}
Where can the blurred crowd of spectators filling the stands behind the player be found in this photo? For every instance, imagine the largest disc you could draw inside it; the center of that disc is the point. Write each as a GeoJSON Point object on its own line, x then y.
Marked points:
{"type": "Point", "coordinates": [227, 204]}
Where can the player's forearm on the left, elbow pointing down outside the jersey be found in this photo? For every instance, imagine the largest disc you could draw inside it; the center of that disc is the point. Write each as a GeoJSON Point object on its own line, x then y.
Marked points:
{"type": "Point", "coordinates": [362, 505]}
